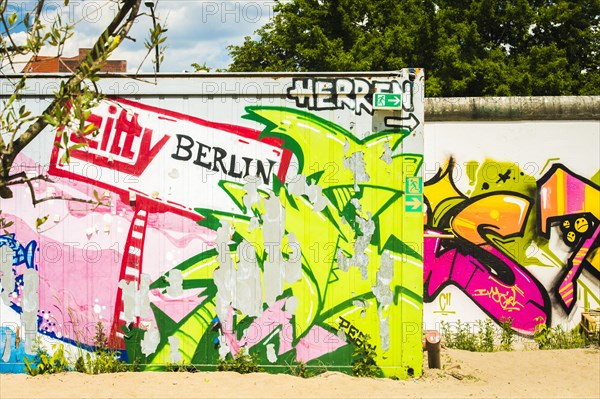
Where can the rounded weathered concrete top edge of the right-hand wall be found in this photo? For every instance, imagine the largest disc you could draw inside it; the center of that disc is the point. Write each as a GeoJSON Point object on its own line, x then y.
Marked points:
{"type": "Point", "coordinates": [512, 108]}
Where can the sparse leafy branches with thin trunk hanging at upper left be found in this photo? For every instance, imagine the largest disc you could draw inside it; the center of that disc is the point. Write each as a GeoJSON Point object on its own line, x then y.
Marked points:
{"type": "Point", "coordinates": [77, 94]}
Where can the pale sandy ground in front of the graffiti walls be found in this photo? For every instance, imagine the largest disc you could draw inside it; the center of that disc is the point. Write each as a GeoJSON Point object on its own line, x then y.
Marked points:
{"type": "Point", "coordinates": [571, 373]}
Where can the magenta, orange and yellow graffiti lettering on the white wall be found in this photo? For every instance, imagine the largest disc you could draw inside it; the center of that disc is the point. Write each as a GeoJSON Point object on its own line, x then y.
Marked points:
{"type": "Point", "coordinates": [483, 226]}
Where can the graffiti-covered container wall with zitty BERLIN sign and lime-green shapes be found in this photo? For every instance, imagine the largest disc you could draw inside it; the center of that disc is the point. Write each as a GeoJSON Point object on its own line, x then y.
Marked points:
{"type": "Point", "coordinates": [281, 217]}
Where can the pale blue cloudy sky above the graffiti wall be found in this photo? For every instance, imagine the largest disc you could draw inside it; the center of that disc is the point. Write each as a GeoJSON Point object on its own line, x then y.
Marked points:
{"type": "Point", "coordinates": [199, 31]}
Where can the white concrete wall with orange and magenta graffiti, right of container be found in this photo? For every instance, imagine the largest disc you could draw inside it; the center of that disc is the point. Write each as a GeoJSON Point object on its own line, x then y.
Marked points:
{"type": "Point", "coordinates": [517, 206]}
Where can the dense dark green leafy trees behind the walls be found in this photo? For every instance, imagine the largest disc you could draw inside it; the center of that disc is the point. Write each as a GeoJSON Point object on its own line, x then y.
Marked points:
{"type": "Point", "coordinates": [467, 47]}
